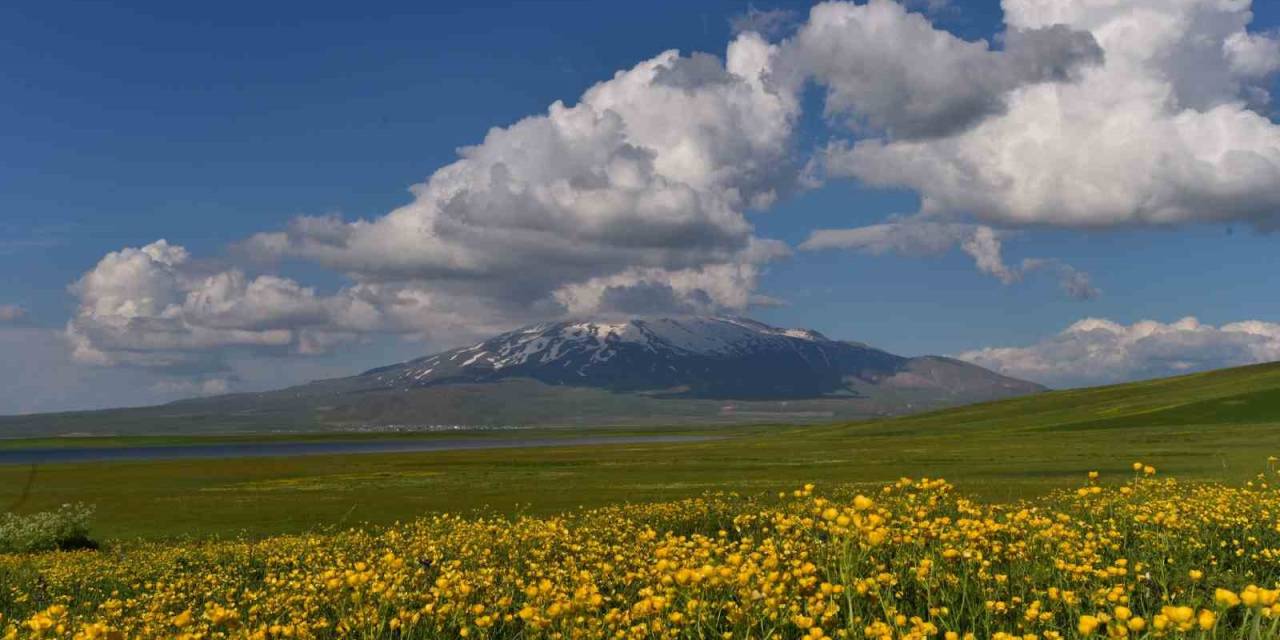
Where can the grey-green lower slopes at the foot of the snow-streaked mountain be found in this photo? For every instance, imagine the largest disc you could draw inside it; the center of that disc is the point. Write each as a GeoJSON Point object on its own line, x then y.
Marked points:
{"type": "Point", "coordinates": [317, 409]}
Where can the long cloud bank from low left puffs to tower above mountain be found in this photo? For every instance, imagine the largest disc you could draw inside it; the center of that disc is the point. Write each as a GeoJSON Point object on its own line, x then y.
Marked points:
{"type": "Point", "coordinates": [633, 199]}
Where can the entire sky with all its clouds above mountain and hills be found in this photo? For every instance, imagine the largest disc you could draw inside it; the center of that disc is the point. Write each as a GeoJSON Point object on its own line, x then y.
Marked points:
{"type": "Point", "coordinates": [204, 199]}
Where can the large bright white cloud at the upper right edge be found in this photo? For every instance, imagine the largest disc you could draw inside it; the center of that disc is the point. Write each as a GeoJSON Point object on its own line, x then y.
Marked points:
{"type": "Point", "coordinates": [1162, 131]}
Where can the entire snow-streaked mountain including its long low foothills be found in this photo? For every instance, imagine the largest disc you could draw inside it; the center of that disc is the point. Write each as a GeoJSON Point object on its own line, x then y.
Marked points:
{"type": "Point", "coordinates": [639, 371]}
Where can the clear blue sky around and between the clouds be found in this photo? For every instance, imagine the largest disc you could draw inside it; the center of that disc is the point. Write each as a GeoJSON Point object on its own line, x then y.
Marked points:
{"type": "Point", "coordinates": [208, 125]}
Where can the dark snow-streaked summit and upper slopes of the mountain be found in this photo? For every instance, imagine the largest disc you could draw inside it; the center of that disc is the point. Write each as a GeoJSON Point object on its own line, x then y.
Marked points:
{"type": "Point", "coordinates": [700, 356]}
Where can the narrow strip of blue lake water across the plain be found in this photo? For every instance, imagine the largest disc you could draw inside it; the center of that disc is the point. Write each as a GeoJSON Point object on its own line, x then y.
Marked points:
{"type": "Point", "coordinates": [312, 449]}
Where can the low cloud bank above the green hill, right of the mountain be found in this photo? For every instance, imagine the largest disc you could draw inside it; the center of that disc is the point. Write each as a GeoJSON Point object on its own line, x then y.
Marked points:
{"type": "Point", "coordinates": [1096, 351]}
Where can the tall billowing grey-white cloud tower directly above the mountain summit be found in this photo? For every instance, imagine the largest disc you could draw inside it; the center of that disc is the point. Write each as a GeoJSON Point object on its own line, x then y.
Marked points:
{"type": "Point", "coordinates": [651, 172]}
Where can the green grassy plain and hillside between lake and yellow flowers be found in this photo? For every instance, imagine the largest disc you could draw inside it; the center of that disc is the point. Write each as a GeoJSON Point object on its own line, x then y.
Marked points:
{"type": "Point", "coordinates": [1219, 426]}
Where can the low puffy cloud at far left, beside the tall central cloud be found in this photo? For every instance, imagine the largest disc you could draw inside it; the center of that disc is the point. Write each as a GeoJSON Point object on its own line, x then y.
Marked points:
{"type": "Point", "coordinates": [154, 308]}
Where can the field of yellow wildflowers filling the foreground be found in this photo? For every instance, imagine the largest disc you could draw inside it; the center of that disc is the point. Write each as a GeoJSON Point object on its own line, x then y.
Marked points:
{"type": "Point", "coordinates": [1121, 557]}
